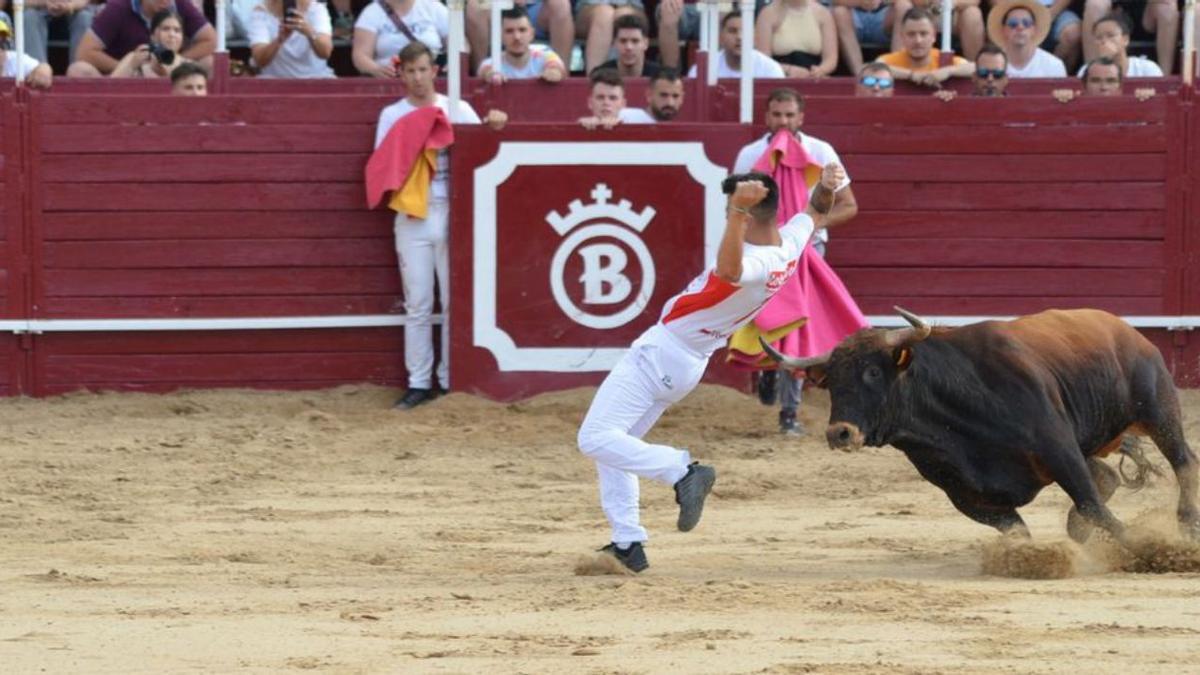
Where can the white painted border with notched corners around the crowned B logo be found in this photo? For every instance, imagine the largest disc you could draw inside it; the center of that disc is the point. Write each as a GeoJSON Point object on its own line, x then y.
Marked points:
{"type": "Point", "coordinates": [487, 332]}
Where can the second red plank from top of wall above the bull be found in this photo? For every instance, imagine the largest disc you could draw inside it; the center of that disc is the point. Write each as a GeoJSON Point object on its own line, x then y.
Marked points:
{"type": "Point", "coordinates": [943, 140]}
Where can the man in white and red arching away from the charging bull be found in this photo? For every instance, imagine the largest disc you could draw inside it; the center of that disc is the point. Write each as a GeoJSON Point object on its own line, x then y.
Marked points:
{"type": "Point", "coordinates": [754, 261]}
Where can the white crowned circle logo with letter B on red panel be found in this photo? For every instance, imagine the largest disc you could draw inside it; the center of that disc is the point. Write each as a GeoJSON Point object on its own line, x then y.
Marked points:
{"type": "Point", "coordinates": [604, 279]}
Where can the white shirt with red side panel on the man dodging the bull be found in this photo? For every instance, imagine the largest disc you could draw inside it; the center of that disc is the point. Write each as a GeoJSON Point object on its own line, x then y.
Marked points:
{"type": "Point", "coordinates": [711, 309]}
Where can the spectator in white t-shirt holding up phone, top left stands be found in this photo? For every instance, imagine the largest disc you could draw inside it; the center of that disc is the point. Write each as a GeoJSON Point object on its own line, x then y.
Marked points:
{"type": "Point", "coordinates": [292, 39]}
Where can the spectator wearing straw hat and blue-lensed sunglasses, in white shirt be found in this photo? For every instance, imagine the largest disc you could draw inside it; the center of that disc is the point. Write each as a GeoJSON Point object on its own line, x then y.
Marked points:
{"type": "Point", "coordinates": [1019, 27]}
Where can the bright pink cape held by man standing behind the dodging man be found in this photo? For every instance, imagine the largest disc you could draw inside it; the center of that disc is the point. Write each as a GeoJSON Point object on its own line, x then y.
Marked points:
{"type": "Point", "coordinates": [815, 291]}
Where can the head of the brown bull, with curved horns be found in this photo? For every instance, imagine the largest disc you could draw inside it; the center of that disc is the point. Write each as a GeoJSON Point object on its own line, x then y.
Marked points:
{"type": "Point", "coordinates": [860, 374]}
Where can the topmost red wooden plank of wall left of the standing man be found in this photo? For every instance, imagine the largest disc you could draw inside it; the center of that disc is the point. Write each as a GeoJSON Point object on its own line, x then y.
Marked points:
{"type": "Point", "coordinates": [140, 110]}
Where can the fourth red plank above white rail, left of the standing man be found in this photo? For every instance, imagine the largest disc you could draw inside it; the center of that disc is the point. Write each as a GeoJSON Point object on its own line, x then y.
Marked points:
{"type": "Point", "coordinates": [217, 225]}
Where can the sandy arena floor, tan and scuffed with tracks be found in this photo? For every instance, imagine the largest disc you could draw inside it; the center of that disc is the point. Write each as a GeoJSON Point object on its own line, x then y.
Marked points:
{"type": "Point", "coordinates": [268, 533]}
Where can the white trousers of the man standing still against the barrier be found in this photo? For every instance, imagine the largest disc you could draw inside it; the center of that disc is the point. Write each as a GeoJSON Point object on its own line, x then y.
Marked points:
{"type": "Point", "coordinates": [422, 247]}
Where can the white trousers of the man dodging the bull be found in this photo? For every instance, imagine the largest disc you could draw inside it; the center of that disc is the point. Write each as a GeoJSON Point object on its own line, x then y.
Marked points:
{"type": "Point", "coordinates": [657, 372]}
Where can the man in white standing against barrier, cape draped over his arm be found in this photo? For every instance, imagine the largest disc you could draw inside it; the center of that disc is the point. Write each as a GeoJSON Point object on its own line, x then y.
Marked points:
{"type": "Point", "coordinates": [422, 246]}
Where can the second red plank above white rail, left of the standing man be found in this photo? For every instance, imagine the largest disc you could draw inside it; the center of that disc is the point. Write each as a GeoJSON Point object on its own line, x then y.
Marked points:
{"type": "Point", "coordinates": [209, 283]}
